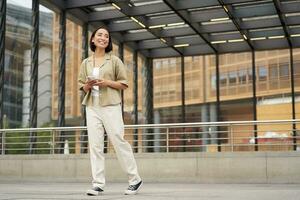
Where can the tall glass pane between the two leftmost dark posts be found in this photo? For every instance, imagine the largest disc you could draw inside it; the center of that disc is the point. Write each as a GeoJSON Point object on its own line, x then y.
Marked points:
{"type": "Point", "coordinates": [17, 57]}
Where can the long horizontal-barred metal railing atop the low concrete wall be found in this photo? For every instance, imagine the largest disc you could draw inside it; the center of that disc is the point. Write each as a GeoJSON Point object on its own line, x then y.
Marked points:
{"type": "Point", "coordinates": [268, 135]}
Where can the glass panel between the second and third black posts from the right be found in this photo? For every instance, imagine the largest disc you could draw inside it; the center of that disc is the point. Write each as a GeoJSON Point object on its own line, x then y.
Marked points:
{"type": "Point", "coordinates": [236, 103]}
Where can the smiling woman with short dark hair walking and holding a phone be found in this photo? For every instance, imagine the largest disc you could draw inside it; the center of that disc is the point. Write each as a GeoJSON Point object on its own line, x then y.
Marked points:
{"type": "Point", "coordinates": [102, 76]}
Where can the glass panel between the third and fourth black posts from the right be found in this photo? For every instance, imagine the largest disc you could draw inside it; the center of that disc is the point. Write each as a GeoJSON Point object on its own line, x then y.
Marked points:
{"type": "Point", "coordinates": [200, 100]}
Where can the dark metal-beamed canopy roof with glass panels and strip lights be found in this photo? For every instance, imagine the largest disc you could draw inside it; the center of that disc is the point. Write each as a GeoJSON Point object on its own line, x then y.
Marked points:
{"type": "Point", "coordinates": [251, 25]}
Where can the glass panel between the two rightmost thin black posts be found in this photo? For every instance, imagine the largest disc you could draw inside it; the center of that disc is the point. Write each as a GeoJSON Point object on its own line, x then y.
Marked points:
{"type": "Point", "coordinates": [273, 95]}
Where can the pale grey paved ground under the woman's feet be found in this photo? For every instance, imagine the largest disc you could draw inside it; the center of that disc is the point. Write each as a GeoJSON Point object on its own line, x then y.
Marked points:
{"type": "Point", "coordinates": [150, 191]}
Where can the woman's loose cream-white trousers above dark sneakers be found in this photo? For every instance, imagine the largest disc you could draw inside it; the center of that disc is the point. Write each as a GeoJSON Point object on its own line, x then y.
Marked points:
{"type": "Point", "coordinates": [110, 119]}
